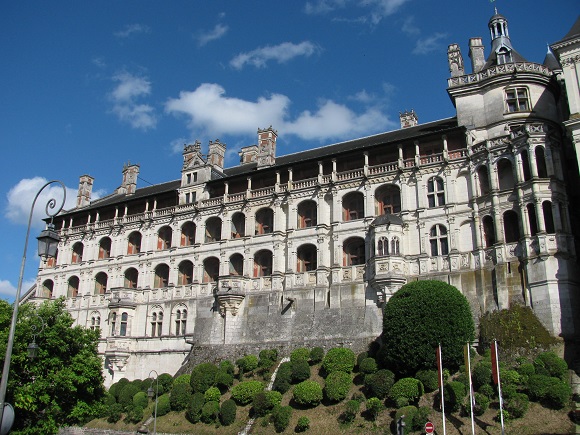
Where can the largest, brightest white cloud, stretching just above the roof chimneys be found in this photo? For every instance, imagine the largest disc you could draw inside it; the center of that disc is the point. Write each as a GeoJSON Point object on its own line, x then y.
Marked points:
{"type": "Point", "coordinates": [209, 109]}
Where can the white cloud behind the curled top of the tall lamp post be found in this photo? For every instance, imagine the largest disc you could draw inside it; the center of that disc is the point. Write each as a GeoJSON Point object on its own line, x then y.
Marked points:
{"type": "Point", "coordinates": [20, 199]}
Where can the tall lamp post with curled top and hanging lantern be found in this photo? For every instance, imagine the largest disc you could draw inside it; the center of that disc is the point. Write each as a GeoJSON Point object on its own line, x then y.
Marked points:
{"type": "Point", "coordinates": [47, 245]}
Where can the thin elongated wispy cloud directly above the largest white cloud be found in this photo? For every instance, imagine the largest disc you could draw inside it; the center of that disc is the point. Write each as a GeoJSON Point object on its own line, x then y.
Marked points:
{"type": "Point", "coordinates": [280, 53]}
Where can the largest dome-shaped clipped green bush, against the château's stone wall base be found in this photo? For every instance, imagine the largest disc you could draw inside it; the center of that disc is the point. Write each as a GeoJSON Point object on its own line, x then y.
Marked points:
{"type": "Point", "coordinates": [404, 317]}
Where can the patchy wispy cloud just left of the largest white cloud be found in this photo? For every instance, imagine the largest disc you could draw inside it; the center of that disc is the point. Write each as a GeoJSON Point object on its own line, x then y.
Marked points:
{"type": "Point", "coordinates": [129, 88]}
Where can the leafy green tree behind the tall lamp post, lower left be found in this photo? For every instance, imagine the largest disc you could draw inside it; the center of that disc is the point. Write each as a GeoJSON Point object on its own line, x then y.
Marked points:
{"type": "Point", "coordinates": [64, 384]}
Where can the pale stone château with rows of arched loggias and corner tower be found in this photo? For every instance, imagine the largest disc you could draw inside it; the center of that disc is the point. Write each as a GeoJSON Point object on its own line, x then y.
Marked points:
{"type": "Point", "coordinates": [304, 249]}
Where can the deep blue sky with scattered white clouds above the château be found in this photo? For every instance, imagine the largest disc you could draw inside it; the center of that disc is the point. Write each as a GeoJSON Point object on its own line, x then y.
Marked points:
{"type": "Point", "coordinates": [86, 87]}
